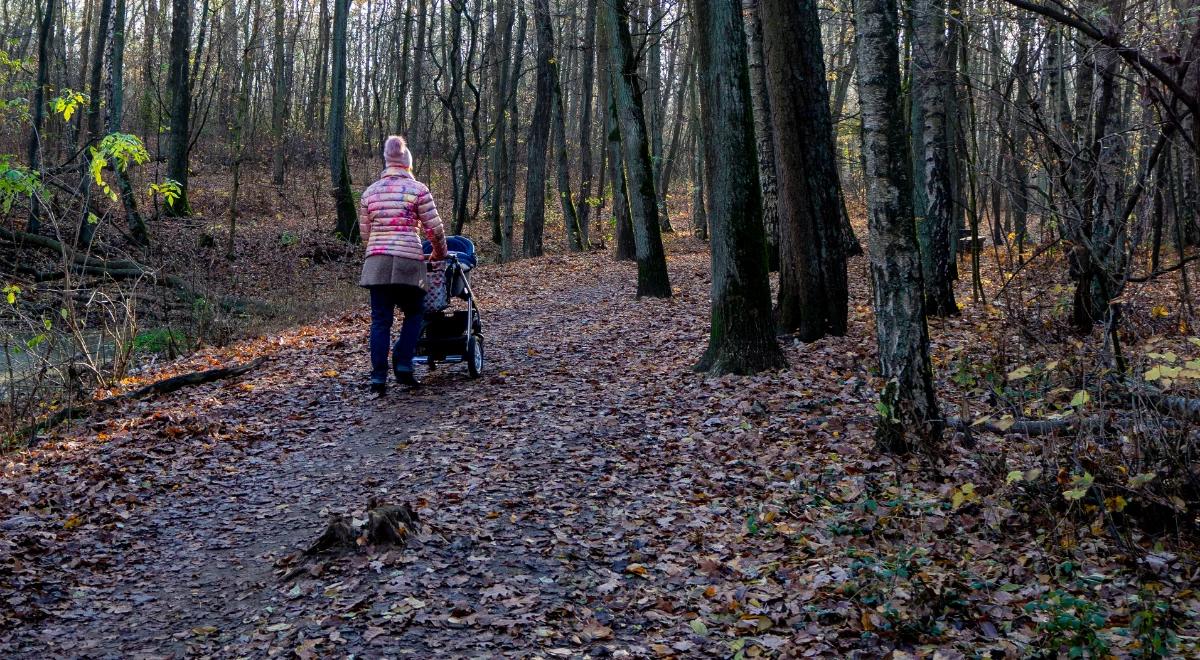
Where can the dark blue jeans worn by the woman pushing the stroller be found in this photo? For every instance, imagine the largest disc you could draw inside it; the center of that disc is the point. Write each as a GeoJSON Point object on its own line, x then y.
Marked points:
{"type": "Point", "coordinates": [385, 301]}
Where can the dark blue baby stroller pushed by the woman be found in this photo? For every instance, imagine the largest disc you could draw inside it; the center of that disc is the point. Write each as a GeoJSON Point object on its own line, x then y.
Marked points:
{"type": "Point", "coordinates": [452, 337]}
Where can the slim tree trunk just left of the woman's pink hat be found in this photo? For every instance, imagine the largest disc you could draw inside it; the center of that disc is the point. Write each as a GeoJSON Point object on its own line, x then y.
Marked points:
{"type": "Point", "coordinates": [347, 227]}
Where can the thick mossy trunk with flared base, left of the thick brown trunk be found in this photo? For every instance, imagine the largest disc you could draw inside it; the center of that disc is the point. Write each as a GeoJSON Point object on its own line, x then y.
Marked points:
{"type": "Point", "coordinates": [742, 337]}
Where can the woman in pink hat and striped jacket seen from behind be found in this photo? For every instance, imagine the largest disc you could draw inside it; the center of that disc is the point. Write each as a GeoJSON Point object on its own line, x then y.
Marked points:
{"type": "Point", "coordinates": [395, 213]}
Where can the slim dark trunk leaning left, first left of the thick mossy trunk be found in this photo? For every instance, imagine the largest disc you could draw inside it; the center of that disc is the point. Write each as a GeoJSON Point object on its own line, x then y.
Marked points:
{"type": "Point", "coordinates": [639, 169]}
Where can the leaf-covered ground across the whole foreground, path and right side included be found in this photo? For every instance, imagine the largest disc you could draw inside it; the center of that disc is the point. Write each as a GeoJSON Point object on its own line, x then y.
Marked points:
{"type": "Point", "coordinates": [590, 496]}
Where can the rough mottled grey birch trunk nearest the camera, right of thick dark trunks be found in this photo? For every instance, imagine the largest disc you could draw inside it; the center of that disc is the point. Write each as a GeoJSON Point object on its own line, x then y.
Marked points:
{"type": "Point", "coordinates": [911, 404]}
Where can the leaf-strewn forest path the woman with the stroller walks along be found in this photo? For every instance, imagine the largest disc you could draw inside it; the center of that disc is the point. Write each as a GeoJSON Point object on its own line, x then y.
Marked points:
{"type": "Point", "coordinates": [586, 497]}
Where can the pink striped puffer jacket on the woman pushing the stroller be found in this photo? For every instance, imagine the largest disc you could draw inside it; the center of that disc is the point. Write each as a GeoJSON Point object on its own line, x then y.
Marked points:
{"type": "Point", "coordinates": [394, 214]}
